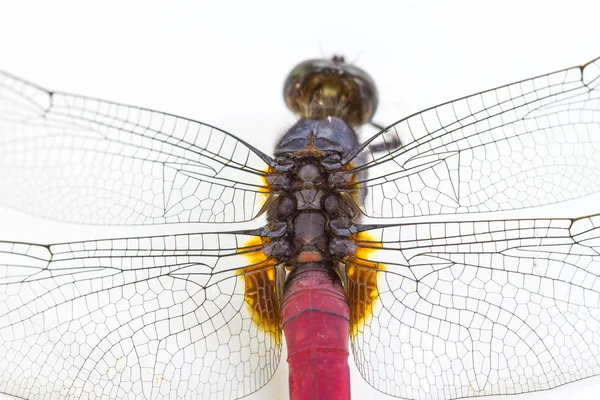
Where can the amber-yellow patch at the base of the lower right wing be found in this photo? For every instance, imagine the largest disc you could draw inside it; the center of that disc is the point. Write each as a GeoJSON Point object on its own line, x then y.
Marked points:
{"type": "Point", "coordinates": [361, 287]}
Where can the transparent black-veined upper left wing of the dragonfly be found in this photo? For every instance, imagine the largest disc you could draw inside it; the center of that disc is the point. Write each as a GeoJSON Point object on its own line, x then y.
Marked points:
{"type": "Point", "coordinates": [78, 159]}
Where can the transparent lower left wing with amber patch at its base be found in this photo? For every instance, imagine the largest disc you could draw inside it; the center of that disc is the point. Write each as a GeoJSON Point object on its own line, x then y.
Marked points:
{"type": "Point", "coordinates": [139, 318]}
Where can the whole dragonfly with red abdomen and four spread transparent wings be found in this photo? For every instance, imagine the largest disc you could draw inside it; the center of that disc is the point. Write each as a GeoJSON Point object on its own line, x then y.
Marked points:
{"type": "Point", "coordinates": [391, 248]}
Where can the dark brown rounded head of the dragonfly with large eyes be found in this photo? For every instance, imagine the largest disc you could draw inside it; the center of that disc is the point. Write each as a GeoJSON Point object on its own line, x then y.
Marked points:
{"type": "Point", "coordinates": [322, 88]}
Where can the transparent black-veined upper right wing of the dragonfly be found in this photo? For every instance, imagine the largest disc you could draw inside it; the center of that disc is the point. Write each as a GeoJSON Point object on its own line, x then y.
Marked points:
{"type": "Point", "coordinates": [526, 144]}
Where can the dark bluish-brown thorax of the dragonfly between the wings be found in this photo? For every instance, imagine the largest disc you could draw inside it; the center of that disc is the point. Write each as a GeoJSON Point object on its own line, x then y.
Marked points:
{"type": "Point", "coordinates": [312, 218]}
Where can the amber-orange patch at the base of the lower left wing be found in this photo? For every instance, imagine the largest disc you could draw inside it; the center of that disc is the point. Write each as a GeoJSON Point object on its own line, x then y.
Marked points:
{"type": "Point", "coordinates": [259, 279]}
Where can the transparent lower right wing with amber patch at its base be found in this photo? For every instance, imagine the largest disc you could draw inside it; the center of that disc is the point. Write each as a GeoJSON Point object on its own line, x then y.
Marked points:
{"type": "Point", "coordinates": [477, 308]}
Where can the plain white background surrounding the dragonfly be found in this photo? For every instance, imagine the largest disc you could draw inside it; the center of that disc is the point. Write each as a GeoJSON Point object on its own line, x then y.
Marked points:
{"type": "Point", "coordinates": [224, 63]}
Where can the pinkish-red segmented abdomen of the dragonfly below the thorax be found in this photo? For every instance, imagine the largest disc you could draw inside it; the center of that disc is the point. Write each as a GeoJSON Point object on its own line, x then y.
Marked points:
{"type": "Point", "coordinates": [316, 325]}
